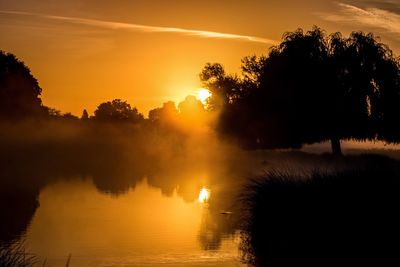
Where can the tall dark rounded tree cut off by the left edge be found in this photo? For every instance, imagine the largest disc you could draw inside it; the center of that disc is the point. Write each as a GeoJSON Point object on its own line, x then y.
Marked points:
{"type": "Point", "coordinates": [19, 90]}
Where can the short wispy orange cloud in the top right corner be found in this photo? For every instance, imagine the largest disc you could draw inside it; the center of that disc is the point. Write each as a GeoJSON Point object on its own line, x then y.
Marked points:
{"type": "Point", "coordinates": [370, 17]}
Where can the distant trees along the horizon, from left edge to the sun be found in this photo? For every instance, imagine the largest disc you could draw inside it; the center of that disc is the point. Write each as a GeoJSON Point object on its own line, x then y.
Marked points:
{"type": "Point", "coordinates": [20, 99]}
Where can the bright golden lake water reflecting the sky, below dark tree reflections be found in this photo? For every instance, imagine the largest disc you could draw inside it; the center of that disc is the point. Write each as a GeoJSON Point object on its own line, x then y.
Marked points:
{"type": "Point", "coordinates": [141, 227]}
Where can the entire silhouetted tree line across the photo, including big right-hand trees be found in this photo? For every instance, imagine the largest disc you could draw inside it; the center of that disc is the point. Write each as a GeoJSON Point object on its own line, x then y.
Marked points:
{"type": "Point", "coordinates": [312, 87]}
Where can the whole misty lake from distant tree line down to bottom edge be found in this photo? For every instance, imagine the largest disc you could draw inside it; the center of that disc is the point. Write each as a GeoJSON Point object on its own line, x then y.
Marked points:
{"type": "Point", "coordinates": [112, 195]}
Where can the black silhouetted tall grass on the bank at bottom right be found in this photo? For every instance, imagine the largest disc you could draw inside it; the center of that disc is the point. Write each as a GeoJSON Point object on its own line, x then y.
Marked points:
{"type": "Point", "coordinates": [349, 217]}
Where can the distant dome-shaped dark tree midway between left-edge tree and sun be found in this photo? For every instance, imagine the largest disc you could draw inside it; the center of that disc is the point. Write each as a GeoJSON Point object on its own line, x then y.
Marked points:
{"type": "Point", "coordinates": [117, 111]}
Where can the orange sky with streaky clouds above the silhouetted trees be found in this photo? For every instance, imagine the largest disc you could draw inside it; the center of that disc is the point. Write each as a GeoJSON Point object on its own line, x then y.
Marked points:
{"type": "Point", "coordinates": [147, 52]}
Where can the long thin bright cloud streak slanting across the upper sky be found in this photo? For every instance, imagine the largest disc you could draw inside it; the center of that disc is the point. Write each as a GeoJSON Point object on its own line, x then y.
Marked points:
{"type": "Point", "coordinates": [112, 25]}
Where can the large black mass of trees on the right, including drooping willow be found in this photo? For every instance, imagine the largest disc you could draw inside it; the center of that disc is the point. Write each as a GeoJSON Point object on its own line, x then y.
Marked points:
{"type": "Point", "coordinates": [310, 88]}
